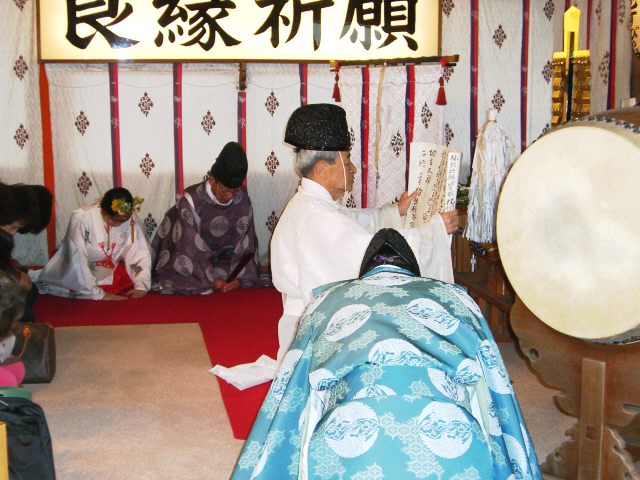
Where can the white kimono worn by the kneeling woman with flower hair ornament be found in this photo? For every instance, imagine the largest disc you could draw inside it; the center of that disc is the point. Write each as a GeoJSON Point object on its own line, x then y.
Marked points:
{"type": "Point", "coordinates": [78, 268]}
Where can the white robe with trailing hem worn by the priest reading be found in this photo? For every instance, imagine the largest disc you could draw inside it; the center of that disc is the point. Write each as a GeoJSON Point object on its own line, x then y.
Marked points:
{"type": "Point", "coordinates": [318, 241]}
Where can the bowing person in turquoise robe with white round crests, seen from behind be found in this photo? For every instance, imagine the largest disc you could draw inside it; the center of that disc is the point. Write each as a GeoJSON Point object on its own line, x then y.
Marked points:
{"type": "Point", "coordinates": [391, 375]}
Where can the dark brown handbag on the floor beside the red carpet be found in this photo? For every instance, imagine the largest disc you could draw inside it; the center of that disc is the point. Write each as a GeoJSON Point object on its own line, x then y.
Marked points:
{"type": "Point", "coordinates": [36, 346]}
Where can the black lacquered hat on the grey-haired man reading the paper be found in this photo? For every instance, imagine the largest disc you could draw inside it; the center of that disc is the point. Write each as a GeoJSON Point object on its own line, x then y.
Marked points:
{"type": "Point", "coordinates": [319, 126]}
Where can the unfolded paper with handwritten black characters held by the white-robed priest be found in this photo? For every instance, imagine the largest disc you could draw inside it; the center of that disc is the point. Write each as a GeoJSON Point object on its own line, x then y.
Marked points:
{"type": "Point", "coordinates": [433, 171]}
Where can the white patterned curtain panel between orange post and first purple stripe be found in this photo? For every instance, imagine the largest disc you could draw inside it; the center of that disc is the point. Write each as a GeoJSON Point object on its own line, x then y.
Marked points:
{"type": "Point", "coordinates": [81, 129]}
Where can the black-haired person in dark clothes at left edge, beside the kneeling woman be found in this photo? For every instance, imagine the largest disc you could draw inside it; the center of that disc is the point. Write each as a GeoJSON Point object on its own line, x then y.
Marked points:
{"type": "Point", "coordinates": [23, 209]}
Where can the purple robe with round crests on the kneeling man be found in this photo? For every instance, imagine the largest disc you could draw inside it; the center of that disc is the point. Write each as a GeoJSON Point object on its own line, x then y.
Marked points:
{"type": "Point", "coordinates": [196, 244]}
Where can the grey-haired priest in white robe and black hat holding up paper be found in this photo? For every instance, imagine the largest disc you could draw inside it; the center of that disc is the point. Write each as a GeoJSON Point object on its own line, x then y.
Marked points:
{"type": "Point", "coordinates": [318, 241]}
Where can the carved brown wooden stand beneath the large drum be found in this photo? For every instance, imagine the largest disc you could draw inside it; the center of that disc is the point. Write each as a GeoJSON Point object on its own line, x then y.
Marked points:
{"type": "Point", "coordinates": [600, 386]}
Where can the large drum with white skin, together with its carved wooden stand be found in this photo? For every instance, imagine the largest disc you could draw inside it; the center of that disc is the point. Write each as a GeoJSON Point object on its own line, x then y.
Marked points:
{"type": "Point", "coordinates": [572, 255]}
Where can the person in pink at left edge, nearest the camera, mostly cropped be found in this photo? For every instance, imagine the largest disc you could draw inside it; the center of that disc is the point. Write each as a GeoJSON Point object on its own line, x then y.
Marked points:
{"type": "Point", "coordinates": [12, 299]}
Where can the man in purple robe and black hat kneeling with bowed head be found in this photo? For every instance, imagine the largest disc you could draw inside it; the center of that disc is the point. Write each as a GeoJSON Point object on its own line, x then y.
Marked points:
{"type": "Point", "coordinates": [207, 240]}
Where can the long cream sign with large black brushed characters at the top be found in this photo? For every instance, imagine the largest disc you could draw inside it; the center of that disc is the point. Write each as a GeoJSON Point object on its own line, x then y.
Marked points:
{"type": "Point", "coordinates": [236, 30]}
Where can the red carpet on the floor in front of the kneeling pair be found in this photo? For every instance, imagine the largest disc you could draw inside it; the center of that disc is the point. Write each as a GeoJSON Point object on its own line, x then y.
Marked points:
{"type": "Point", "coordinates": [237, 327]}
